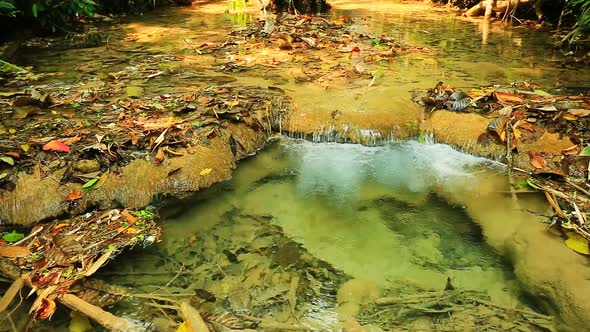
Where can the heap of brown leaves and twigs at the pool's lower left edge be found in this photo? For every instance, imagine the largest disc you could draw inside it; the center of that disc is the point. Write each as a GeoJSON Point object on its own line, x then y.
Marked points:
{"type": "Point", "coordinates": [56, 255]}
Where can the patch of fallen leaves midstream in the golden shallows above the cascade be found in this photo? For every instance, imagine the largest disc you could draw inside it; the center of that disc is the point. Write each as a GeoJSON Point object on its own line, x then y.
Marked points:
{"type": "Point", "coordinates": [308, 49]}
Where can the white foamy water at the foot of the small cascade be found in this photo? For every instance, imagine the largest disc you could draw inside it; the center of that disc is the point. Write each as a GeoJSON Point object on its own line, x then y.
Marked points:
{"type": "Point", "coordinates": [334, 168]}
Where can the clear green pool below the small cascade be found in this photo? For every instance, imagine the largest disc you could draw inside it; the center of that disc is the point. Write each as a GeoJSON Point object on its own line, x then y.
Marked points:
{"type": "Point", "coordinates": [372, 213]}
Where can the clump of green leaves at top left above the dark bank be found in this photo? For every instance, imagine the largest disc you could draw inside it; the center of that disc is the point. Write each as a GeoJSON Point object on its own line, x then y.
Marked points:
{"type": "Point", "coordinates": [59, 14]}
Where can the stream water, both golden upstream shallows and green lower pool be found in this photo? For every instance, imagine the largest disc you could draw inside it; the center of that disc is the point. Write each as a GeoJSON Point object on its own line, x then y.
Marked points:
{"type": "Point", "coordinates": [371, 214]}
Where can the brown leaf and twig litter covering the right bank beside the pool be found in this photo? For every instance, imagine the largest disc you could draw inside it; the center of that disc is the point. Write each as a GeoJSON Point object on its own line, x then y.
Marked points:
{"type": "Point", "coordinates": [522, 114]}
